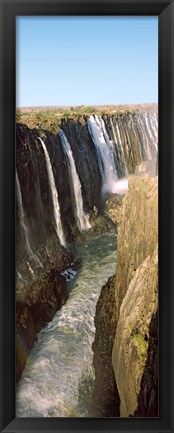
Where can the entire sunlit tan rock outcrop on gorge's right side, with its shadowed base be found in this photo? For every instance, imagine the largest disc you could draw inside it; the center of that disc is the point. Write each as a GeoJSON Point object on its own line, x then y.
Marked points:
{"type": "Point", "coordinates": [134, 326]}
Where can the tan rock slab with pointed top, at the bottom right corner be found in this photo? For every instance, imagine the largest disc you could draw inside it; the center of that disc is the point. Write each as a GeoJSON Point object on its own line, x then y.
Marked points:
{"type": "Point", "coordinates": [130, 348]}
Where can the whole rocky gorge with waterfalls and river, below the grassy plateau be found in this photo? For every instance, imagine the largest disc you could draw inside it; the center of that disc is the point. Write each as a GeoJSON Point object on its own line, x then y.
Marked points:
{"type": "Point", "coordinates": [78, 181]}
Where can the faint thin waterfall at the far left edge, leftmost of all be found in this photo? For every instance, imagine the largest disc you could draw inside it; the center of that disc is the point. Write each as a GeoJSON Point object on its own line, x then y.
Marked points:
{"type": "Point", "coordinates": [24, 225]}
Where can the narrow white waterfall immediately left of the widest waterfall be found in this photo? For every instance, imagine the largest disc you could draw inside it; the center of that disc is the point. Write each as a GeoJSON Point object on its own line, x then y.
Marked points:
{"type": "Point", "coordinates": [81, 218]}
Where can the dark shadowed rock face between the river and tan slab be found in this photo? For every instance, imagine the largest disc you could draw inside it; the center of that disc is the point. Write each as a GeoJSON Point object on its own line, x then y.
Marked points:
{"type": "Point", "coordinates": [105, 400]}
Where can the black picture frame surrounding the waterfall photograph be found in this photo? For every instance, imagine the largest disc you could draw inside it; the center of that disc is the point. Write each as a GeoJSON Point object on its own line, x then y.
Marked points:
{"type": "Point", "coordinates": [164, 9]}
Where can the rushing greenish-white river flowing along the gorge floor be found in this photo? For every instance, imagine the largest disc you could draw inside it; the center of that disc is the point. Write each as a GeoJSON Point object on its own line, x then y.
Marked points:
{"type": "Point", "coordinates": [58, 378]}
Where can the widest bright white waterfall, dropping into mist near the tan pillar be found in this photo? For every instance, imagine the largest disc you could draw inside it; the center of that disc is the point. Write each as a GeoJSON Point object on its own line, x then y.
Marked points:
{"type": "Point", "coordinates": [104, 152]}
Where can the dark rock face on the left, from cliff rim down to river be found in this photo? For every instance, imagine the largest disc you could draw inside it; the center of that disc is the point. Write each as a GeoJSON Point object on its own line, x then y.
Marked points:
{"type": "Point", "coordinates": [39, 293]}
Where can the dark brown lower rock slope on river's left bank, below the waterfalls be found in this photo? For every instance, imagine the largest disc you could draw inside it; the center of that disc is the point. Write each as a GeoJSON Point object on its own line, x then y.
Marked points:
{"type": "Point", "coordinates": [36, 304]}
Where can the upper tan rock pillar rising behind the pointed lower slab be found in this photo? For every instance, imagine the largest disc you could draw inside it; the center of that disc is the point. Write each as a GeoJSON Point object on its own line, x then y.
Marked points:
{"type": "Point", "coordinates": [137, 220]}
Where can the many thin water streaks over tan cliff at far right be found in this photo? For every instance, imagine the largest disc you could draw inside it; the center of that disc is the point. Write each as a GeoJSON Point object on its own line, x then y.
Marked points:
{"type": "Point", "coordinates": [135, 138]}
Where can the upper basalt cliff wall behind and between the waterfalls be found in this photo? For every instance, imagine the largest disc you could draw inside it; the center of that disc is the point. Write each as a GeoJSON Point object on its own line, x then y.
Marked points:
{"type": "Point", "coordinates": [130, 138]}
